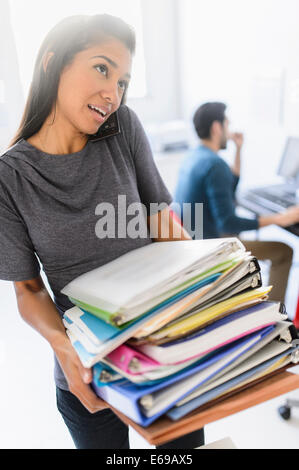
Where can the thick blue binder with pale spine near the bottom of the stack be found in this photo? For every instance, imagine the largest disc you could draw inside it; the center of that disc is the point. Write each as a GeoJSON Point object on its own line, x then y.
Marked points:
{"type": "Point", "coordinates": [125, 396]}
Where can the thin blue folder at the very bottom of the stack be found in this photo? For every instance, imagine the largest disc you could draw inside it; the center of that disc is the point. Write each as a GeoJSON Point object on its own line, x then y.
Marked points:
{"type": "Point", "coordinates": [180, 411]}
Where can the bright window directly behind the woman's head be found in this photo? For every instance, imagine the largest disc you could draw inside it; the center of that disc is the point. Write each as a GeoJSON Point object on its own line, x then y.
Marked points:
{"type": "Point", "coordinates": [32, 19]}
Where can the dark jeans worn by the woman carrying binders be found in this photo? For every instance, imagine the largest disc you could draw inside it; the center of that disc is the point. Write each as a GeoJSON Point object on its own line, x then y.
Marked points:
{"type": "Point", "coordinates": [104, 430]}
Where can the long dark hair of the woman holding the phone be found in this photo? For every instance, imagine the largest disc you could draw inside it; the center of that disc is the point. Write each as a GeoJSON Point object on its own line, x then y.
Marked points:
{"type": "Point", "coordinates": [70, 36]}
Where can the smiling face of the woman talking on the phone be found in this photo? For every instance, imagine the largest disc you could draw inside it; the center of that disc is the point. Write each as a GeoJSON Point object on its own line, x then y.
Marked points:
{"type": "Point", "coordinates": [92, 86]}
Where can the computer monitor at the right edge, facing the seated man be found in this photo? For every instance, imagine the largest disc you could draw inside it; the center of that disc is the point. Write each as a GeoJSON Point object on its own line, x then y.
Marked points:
{"type": "Point", "coordinates": [289, 164]}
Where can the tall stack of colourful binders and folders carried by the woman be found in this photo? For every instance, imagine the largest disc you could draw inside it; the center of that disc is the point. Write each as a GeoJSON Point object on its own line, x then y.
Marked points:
{"type": "Point", "coordinates": [173, 325]}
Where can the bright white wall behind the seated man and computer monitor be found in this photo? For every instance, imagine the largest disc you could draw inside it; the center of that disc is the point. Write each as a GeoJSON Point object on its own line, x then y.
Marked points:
{"type": "Point", "coordinates": [245, 54]}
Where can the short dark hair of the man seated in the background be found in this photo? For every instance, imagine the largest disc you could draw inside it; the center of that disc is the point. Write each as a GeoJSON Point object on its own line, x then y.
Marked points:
{"type": "Point", "coordinates": [204, 117]}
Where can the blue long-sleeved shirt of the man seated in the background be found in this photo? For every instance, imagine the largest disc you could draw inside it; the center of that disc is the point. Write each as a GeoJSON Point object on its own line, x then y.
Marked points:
{"type": "Point", "coordinates": [206, 178]}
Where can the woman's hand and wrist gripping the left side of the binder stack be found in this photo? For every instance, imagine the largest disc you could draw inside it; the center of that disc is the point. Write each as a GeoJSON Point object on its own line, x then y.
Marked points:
{"type": "Point", "coordinates": [77, 376]}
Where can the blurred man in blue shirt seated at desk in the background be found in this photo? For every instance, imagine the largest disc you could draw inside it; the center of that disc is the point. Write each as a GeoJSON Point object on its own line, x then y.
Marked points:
{"type": "Point", "coordinates": [206, 178]}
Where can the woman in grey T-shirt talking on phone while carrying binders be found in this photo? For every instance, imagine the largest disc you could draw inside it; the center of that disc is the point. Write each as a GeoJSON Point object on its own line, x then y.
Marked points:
{"type": "Point", "coordinates": [58, 169]}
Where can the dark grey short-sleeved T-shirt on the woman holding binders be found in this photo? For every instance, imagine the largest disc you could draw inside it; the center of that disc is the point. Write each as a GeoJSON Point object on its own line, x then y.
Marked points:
{"type": "Point", "coordinates": [48, 206]}
